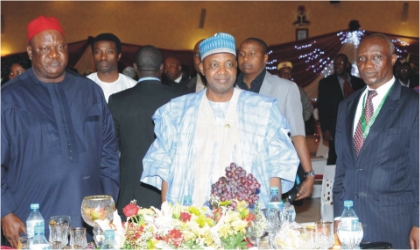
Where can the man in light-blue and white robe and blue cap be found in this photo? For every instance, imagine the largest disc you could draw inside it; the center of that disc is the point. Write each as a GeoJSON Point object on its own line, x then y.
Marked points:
{"type": "Point", "coordinates": [199, 134]}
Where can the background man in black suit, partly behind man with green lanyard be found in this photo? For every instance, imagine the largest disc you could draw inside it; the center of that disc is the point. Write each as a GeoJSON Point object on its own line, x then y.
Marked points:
{"type": "Point", "coordinates": [331, 91]}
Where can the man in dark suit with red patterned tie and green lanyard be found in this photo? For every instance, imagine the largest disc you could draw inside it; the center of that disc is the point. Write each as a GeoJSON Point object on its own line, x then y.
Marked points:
{"type": "Point", "coordinates": [377, 143]}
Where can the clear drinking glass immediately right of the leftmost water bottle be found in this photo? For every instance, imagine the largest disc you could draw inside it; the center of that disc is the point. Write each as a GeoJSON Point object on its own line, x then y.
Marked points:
{"type": "Point", "coordinates": [59, 230]}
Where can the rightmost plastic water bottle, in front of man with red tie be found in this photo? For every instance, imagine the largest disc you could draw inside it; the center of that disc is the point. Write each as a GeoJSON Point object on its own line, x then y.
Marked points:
{"type": "Point", "coordinates": [349, 231]}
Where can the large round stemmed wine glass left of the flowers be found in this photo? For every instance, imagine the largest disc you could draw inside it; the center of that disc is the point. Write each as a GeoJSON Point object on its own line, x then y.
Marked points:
{"type": "Point", "coordinates": [97, 207]}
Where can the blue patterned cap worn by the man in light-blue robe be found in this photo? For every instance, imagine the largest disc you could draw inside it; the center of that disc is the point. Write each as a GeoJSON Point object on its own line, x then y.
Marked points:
{"type": "Point", "coordinates": [219, 43]}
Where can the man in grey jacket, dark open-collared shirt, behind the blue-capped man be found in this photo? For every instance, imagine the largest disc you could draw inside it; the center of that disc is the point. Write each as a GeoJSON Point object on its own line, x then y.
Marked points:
{"type": "Point", "coordinates": [252, 58]}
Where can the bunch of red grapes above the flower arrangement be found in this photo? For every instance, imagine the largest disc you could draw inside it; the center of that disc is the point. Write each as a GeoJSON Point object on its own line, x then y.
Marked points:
{"type": "Point", "coordinates": [236, 185]}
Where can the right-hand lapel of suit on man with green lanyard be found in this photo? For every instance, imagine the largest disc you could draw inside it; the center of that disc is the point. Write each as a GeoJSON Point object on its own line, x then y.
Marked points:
{"type": "Point", "coordinates": [386, 111]}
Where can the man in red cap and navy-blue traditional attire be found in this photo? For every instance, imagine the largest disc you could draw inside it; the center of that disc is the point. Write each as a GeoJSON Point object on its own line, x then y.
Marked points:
{"type": "Point", "coordinates": [58, 141]}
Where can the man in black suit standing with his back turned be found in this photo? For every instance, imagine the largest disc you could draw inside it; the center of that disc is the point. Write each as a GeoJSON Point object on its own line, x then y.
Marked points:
{"type": "Point", "coordinates": [132, 112]}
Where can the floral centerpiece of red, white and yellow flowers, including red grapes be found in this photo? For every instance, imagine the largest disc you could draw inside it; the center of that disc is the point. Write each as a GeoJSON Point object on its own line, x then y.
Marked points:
{"type": "Point", "coordinates": [176, 226]}
